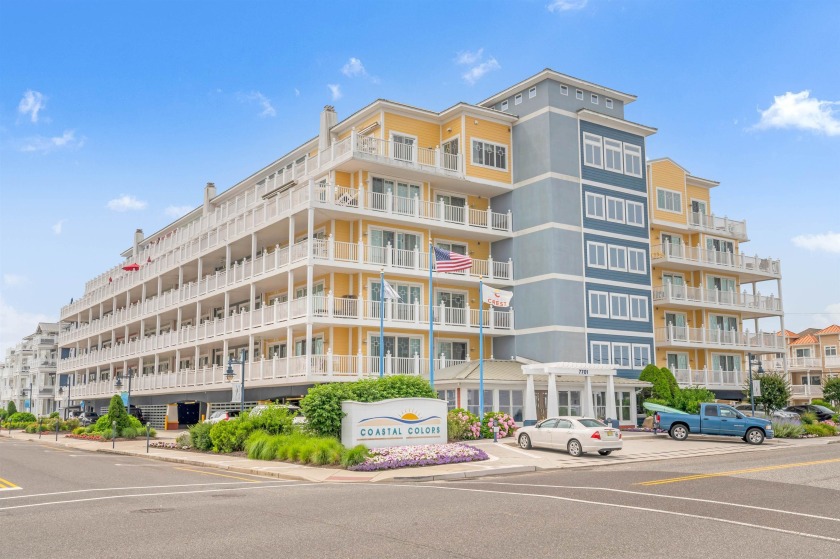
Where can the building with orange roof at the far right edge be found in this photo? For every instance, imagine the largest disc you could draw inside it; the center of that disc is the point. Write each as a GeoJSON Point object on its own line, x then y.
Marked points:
{"type": "Point", "coordinates": [812, 357]}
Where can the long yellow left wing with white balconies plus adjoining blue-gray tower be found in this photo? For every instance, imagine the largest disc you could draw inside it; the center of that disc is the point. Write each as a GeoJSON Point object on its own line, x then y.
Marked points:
{"type": "Point", "coordinates": [542, 185]}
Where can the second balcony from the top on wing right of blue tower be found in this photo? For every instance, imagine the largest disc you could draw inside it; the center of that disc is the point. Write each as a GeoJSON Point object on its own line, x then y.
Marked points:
{"type": "Point", "coordinates": [748, 268]}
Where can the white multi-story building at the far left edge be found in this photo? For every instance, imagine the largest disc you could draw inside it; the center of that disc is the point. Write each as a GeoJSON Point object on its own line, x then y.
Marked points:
{"type": "Point", "coordinates": [28, 377]}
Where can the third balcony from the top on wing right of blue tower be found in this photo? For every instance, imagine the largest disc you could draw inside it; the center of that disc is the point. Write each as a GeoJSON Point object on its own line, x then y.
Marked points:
{"type": "Point", "coordinates": [698, 297]}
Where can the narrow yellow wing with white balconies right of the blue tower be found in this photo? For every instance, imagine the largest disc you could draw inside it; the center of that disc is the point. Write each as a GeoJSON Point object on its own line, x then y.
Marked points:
{"type": "Point", "coordinates": [707, 296]}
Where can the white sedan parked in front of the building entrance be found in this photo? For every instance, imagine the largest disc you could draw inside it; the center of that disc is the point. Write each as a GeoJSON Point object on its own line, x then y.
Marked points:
{"type": "Point", "coordinates": [574, 434]}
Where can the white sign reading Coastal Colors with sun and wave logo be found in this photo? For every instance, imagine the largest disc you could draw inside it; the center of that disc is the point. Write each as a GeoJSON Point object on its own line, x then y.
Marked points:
{"type": "Point", "coordinates": [396, 422]}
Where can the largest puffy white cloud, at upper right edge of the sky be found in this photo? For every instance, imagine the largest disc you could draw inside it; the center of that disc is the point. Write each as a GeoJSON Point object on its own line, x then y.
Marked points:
{"type": "Point", "coordinates": [800, 110]}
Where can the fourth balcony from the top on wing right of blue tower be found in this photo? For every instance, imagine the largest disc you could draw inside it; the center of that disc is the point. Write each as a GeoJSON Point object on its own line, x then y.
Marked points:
{"type": "Point", "coordinates": [703, 338]}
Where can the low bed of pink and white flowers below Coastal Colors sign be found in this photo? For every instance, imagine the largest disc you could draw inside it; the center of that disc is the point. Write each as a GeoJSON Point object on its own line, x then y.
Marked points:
{"type": "Point", "coordinates": [419, 455]}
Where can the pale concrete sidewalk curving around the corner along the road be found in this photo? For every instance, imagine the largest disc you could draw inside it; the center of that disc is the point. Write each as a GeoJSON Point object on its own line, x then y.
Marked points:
{"type": "Point", "coordinates": [505, 457]}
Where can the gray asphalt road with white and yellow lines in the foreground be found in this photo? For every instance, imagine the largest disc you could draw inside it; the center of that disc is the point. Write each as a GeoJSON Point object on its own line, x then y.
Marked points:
{"type": "Point", "coordinates": [79, 504]}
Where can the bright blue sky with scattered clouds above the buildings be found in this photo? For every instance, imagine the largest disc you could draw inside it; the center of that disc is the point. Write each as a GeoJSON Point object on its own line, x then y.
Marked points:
{"type": "Point", "coordinates": [113, 115]}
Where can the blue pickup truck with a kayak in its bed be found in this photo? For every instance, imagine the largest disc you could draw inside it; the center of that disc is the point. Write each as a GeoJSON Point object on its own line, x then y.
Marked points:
{"type": "Point", "coordinates": [714, 419]}
